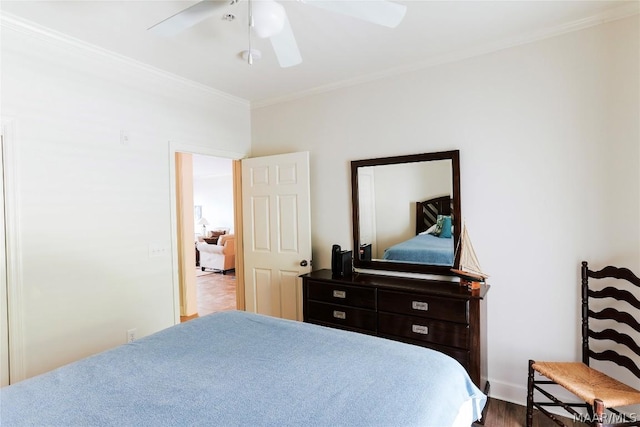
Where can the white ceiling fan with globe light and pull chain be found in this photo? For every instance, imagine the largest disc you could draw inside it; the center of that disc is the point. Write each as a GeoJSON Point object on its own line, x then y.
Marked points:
{"type": "Point", "coordinates": [268, 19]}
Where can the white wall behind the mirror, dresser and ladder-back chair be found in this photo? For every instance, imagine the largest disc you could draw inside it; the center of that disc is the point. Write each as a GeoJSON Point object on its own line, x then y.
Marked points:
{"type": "Point", "coordinates": [550, 160]}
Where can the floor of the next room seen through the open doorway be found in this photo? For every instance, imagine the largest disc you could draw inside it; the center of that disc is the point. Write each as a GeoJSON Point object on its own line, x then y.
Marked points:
{"type": "Point", "coordinates": [215, 292]}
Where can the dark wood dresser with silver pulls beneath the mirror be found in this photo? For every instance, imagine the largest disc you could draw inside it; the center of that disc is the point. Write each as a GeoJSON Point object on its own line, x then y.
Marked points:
{"type": "Point", "coordinates": [430, 313]}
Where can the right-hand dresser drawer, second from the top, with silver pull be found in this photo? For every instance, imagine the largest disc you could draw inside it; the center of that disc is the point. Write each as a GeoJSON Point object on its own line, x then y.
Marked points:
{"type": "Point", "coordinates": [426, 330]}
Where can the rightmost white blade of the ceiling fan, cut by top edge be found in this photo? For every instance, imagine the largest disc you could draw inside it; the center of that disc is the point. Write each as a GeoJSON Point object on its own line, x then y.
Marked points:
{"type": "Point", "coordinates": [381, 12]}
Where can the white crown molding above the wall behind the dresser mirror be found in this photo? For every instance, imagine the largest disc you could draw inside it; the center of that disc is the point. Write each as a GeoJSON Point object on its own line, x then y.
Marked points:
{"type": "Point", "coordinates": [631, 8]}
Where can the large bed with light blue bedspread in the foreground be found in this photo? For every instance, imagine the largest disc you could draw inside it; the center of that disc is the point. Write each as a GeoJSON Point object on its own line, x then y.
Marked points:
{"type": "Point", "coordinates": [241, 369]}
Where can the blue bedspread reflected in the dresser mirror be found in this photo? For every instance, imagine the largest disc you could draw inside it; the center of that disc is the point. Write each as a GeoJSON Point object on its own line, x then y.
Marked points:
{"type": "Point", "coordinates": [423, 248]}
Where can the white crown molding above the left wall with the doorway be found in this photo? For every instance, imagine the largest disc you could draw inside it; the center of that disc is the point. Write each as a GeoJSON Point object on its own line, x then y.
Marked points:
{"type": "Point", "coordinates": [28, 28]}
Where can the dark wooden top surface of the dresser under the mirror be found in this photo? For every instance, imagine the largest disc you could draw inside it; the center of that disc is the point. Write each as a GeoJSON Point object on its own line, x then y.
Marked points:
{"type": "Point", "coordinates": [405, 284]}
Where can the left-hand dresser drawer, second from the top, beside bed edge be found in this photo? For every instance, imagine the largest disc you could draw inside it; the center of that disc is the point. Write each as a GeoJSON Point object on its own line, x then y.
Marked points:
{"type": "Point", "coordinates": [349, 317]}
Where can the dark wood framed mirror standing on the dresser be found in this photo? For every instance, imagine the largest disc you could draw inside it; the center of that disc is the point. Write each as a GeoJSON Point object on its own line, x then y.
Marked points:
{"type": "Point", "coordinates": [406, 212]}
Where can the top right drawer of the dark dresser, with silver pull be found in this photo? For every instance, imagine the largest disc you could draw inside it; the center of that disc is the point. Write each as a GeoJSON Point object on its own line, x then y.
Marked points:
{"type": "Point", "coordinates": [424, 306]}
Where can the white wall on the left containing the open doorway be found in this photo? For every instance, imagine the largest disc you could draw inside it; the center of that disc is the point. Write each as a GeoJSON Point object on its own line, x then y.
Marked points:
{"type": "Point", "coordinates": [88, 207]}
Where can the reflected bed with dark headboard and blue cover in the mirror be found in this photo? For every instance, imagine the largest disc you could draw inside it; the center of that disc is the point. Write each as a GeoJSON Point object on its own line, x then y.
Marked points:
{"type": "Point", "coordinates": [424, 247]}
